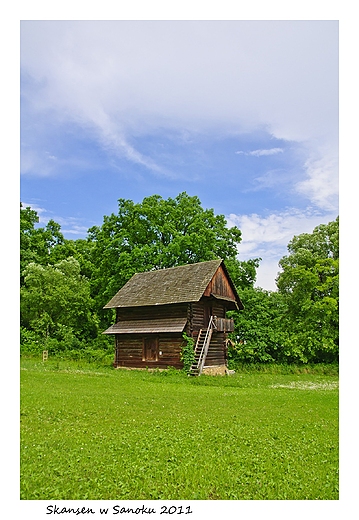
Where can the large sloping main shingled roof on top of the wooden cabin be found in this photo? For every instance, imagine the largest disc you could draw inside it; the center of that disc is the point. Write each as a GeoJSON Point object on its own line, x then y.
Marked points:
{"type": "Point", "coordinates": [185, 283]}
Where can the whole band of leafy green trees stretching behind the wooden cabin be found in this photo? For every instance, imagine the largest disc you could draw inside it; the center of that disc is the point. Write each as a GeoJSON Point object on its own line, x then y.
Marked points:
{"type": "Point", "coordinates": [65, 283]}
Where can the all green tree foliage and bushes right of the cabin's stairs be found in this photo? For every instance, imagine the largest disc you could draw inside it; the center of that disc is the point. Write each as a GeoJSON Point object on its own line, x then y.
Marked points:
{"type": "Point", "coordinates": [300, 322]}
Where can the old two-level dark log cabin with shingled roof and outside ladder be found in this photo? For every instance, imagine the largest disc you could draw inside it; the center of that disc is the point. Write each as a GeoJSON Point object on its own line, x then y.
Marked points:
{"type": "Point", "coordinates": [155, 308]}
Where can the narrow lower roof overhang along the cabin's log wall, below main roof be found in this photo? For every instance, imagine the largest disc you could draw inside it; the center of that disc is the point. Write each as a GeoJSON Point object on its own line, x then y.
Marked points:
{"type": "Point", "coordinates": [147, 326]}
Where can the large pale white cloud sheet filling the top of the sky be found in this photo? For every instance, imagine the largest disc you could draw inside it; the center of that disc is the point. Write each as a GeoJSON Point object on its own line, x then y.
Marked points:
{"type": "Point", "coordinates": [128, 77]}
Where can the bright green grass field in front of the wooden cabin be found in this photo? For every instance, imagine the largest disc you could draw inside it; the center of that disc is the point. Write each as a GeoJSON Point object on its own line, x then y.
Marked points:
{"type": "Point", "coordinates": [90, 433]}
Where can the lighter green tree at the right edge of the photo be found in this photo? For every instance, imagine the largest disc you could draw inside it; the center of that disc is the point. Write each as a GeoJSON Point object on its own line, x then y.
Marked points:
{"type": "Point", "coordinates": [309, 282]}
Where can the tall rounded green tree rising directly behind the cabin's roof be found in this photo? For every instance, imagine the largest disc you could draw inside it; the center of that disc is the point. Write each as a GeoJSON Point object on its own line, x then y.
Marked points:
{"type": "Point", "coordinates": [156, 234]}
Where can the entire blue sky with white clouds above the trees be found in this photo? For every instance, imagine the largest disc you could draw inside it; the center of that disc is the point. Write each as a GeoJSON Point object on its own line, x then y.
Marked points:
{"type": "Point", "coordinates": [242, 114]}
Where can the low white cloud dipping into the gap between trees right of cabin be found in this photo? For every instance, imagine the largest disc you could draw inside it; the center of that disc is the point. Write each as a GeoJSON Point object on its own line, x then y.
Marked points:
{"type": "Point", "coordinates": [268, 237]}
